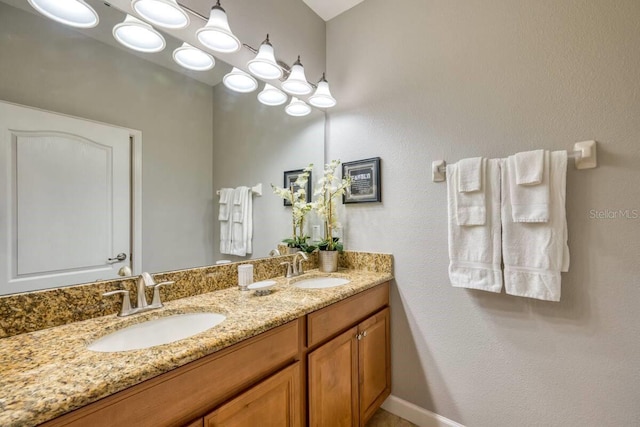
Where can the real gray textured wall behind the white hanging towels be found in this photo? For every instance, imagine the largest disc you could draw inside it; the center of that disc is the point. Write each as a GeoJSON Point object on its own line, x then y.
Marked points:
{"type": "Point", "coordinates": [420, 80]}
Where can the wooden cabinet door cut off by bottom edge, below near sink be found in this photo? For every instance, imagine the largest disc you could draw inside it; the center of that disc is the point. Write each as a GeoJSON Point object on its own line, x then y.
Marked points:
{"type": "Point", "coordinates": [274, 402]}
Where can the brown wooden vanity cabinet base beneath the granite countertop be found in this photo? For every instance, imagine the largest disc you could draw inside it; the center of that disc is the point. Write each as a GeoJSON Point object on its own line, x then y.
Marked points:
{"type": "Point", "coordinates": [344, 348]}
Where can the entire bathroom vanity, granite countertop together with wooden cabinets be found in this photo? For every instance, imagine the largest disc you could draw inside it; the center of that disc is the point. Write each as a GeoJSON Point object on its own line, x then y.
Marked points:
{"type": "Point", "coordinates": [293, 357]}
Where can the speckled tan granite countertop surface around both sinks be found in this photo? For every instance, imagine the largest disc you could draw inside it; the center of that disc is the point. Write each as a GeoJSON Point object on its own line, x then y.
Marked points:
{"type": "Point", "coordinates": [47, 373]}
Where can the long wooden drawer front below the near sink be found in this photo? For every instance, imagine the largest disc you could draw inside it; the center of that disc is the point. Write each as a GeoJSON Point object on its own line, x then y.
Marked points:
{"type": "Point", "coordinates": [179, 396]}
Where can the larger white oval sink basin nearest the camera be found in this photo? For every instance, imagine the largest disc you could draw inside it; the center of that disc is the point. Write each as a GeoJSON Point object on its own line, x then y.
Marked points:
{"type": "Point", "coordinates": [156, 332]}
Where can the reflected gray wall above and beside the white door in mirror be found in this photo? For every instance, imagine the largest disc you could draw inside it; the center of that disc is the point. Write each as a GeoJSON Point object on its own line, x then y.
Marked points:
{"type": "Point", "coordinates": [109, 85]}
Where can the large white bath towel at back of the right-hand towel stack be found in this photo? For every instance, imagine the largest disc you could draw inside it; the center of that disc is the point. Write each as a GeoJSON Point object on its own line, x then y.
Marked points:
{"type": "Point", "coordinates": [534, 254]}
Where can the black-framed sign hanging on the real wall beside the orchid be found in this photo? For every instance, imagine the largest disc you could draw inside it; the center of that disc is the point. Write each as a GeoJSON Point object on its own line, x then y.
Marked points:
{"type": "Point", "coordinates": [365, 181]}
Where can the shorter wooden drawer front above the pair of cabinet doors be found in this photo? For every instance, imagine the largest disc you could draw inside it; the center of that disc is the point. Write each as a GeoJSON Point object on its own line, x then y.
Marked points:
{"type": "Point", "coordinates": [329, 321]}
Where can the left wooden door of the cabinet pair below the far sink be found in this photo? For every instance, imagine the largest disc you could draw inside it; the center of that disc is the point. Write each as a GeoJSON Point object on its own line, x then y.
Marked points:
{"type": "Point", "coordinates": [333, 382]}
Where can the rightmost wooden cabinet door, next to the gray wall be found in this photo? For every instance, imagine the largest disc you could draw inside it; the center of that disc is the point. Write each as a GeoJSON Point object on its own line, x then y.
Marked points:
{"type": "Point", "coordinates": [374, 363]}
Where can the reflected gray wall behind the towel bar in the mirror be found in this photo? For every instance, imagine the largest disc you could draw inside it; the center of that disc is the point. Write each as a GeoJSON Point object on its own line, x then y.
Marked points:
{"type": "Point", "coordinates": [254, 144]}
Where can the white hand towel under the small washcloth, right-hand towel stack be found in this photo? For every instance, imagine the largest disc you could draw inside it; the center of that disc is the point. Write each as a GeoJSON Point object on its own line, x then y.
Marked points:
{"type": "Point", "coordinates": [529, 203]}
